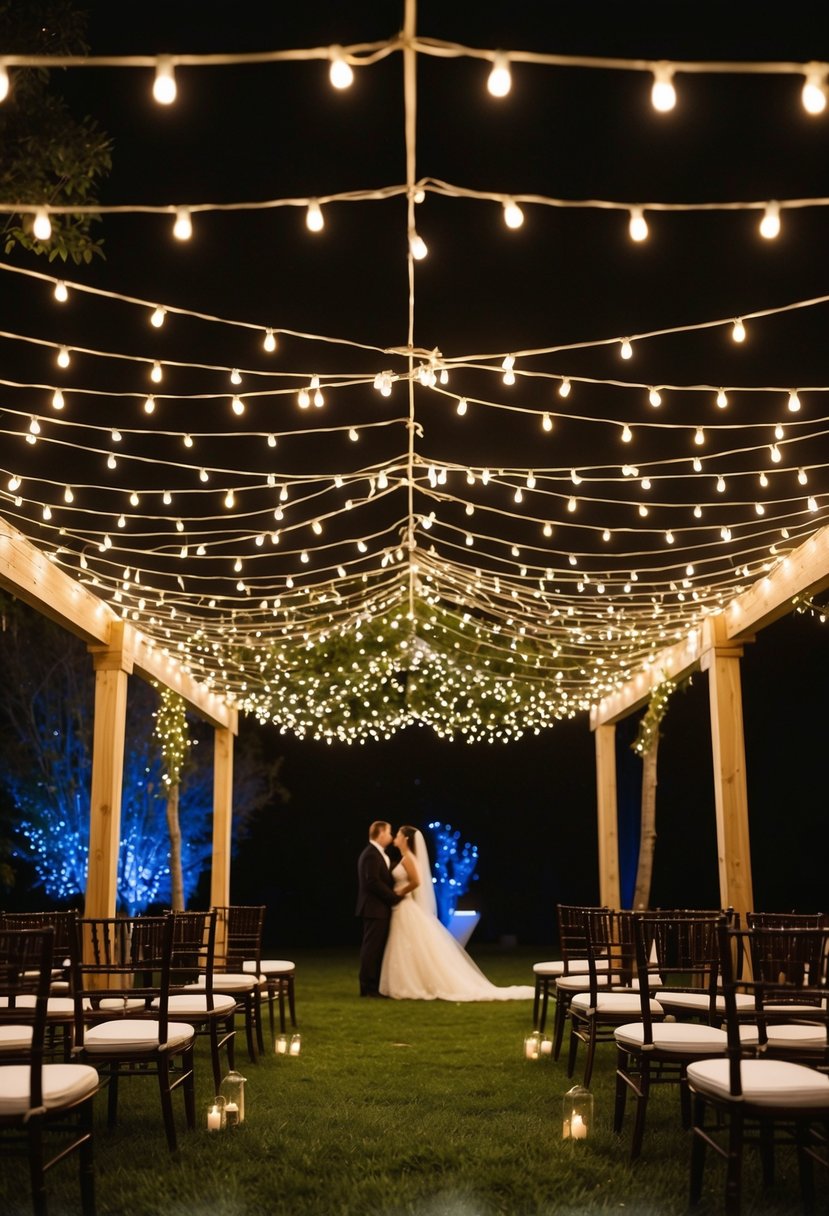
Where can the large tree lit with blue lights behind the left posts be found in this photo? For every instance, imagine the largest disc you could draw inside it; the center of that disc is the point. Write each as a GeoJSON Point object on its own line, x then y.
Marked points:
{"type": "Point", "coordinates": [47, 705]}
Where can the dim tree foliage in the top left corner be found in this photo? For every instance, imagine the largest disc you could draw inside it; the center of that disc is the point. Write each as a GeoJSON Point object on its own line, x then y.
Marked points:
{"type": "Point", "coordinates": [47, 154]}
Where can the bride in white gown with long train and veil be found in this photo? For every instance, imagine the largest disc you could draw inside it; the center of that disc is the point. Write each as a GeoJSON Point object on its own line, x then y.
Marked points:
{"type": "Point", "coordinates": [422, 960]}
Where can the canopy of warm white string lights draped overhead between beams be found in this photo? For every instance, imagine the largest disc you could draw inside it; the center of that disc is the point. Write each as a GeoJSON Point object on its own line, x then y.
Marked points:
{"type": "Point", "coordinates": [489, 497]}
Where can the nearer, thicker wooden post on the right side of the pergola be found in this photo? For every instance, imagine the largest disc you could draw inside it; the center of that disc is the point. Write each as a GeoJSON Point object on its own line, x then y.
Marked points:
{"type": "Point", "coordinates": [721, 660]}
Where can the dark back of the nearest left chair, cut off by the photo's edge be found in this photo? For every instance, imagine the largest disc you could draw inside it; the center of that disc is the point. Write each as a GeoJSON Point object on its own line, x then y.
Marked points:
{"type": "Point", "coordinates": [26, 966]}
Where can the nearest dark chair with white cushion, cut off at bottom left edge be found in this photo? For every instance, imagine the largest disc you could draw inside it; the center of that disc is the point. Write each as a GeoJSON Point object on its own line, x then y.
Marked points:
{"type": "Point", "coordinates": [40, 1101]}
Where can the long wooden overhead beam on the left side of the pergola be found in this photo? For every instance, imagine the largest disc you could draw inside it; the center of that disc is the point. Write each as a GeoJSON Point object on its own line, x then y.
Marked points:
{"type": "Point", "coordinates": [29, 575]}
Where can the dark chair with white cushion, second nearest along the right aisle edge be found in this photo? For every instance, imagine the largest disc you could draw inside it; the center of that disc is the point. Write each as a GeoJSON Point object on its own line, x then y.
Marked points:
{"type": "Point", "coordinates": [683, 949]}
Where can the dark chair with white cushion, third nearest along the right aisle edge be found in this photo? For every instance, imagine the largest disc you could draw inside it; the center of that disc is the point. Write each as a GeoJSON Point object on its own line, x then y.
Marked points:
{"type": "Point", "coordinates": [613, 995]}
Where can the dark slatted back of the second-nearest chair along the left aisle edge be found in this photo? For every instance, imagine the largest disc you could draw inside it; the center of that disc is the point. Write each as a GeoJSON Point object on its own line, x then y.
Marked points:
{"type": "Point", "coordinates": [127, 960]}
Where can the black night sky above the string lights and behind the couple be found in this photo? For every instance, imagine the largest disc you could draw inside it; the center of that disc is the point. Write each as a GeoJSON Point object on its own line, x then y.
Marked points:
{"type": "Point", "coordinates": [531, 807]}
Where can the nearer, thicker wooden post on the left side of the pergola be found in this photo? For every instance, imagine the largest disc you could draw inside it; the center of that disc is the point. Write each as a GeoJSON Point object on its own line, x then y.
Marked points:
{"type": "Point", "coordinates": [112, 666]}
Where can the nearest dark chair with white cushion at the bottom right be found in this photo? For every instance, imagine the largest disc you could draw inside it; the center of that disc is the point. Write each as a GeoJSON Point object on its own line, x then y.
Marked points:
{"type": "Point", "coordinates": [760, 1100]}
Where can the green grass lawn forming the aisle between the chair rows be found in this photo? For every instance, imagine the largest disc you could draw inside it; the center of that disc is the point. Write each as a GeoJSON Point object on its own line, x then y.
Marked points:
{"type": "Point", "coordinates": [397, 1108]}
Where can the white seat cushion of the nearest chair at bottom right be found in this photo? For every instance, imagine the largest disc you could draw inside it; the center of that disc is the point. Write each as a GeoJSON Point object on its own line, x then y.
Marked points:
{"type": "Point", "coordinates": [765, 1083]}
